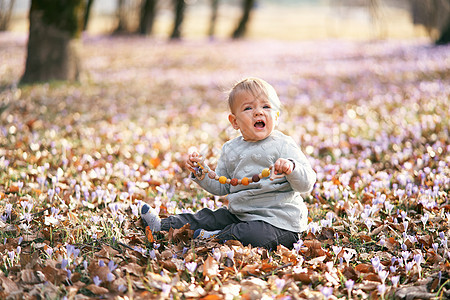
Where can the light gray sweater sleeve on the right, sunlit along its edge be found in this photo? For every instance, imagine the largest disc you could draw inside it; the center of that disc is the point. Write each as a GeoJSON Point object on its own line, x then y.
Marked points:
{"type": "Point", "coordinates": [303, 177]}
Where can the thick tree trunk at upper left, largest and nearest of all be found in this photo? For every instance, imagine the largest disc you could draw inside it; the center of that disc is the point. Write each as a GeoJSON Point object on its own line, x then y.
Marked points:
{"type": "Point", "coordinates": [54, 40]}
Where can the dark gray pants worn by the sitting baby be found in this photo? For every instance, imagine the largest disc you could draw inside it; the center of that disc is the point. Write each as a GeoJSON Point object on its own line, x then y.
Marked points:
{"type": "Point", "coordinates": [255, 233]}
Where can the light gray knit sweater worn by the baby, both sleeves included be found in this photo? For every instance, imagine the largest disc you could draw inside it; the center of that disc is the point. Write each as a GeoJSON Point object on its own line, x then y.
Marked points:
{"type": "Point", "coordinates": [276, 202]}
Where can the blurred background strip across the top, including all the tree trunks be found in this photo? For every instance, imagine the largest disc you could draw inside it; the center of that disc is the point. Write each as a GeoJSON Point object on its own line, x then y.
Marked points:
{"type": "Point", "coordinates": [56, 26]}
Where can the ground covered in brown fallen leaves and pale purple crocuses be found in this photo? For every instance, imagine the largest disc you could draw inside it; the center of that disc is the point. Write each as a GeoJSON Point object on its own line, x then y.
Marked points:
{"type": "Point", "coordinates": [78, 160]}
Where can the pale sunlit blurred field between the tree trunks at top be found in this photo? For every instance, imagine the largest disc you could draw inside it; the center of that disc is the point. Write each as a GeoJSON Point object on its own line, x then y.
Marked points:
{"type": "Point", "coordinates": [268, 19]}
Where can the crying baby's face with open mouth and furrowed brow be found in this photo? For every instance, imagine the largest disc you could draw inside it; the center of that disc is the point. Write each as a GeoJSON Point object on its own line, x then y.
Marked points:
{"type": "Point", "coordinates": [255, 118]}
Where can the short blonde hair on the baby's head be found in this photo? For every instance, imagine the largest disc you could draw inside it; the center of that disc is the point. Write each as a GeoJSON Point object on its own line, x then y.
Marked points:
{"type": "Point", "coordinates": [257, 87]}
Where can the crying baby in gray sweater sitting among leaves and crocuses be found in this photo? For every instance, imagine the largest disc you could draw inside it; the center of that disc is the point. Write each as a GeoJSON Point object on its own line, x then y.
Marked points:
{"type": "Point", "coordinates": [261, 212]}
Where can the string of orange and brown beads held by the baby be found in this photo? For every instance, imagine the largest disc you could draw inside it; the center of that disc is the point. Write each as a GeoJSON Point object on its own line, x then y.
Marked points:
{"type": "Point", "coordinates": [203, 169]}
